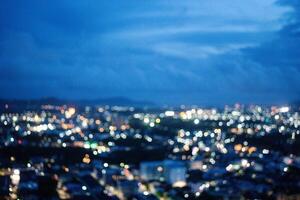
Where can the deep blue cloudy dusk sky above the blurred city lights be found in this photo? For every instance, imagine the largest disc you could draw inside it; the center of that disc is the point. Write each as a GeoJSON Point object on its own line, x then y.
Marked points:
{"type": "Point", "coordinates": [168, 52]}
